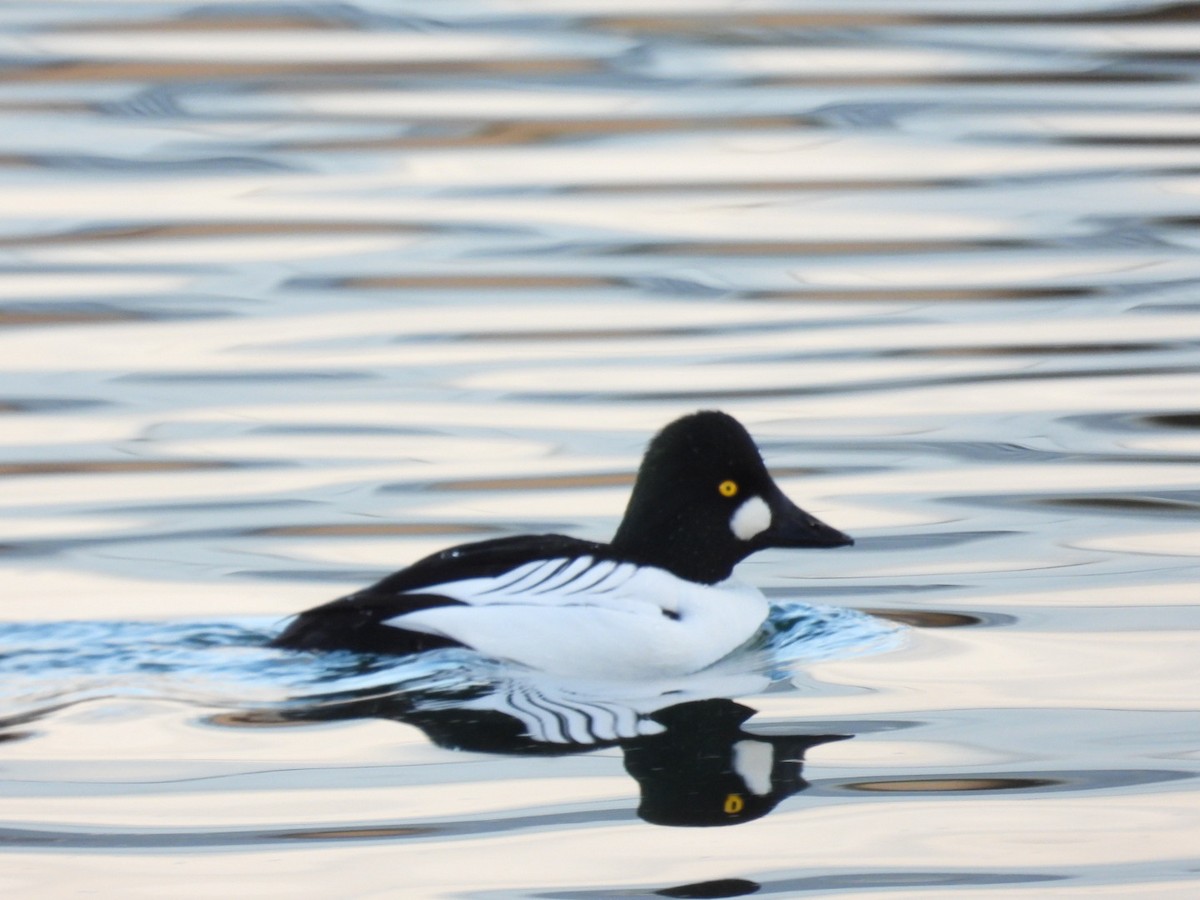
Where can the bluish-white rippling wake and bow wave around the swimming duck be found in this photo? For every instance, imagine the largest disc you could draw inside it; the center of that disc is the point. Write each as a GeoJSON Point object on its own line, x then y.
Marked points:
{"type": "Point", "coordinates": [50, 665]}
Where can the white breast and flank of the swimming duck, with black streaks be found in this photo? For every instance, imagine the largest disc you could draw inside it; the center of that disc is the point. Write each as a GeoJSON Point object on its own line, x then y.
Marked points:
{"type": "Point", "coordinates": [596, 619]}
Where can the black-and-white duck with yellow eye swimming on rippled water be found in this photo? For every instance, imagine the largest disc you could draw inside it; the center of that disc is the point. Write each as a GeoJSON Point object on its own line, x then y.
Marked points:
{"type": "Point", "coordinates": [659, 601]}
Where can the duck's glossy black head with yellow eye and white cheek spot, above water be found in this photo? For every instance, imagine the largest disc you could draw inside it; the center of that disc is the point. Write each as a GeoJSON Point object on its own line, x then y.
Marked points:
{"type": "Point", "coordinates": [704, 502]}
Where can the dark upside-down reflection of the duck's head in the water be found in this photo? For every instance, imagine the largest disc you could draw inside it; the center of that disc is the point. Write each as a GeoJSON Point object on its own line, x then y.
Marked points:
{"type": "Point", "coordinates": [706, 771]}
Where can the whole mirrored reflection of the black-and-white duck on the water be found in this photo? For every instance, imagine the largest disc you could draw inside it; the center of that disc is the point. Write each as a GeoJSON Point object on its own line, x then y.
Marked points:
{"type": "Point", "coordinates": [683, 742]}
